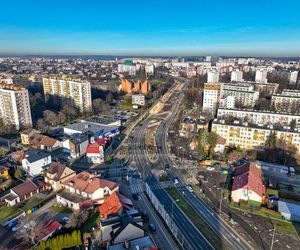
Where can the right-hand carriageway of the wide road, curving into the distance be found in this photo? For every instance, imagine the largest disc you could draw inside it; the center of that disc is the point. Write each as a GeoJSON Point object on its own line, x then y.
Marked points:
{"type": "Point", "coordinates": [216, 223]}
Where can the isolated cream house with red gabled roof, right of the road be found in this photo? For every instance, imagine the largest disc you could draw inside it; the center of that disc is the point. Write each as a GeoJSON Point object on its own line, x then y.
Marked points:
{"type": "Point", "coordinates": [248, 184]}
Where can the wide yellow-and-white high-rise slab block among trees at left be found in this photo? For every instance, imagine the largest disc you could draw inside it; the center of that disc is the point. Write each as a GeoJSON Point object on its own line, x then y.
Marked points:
{"type": "Point", "coordinates": [79, 92]}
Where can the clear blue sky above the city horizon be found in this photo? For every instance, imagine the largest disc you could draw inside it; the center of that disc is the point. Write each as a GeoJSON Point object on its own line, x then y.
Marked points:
{"type": "Point", "coordinates": [151, 27]}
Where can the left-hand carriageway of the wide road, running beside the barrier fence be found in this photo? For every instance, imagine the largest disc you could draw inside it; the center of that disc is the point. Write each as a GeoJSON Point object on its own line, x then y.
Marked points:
{"type": "Point", "coordinates": [191, 237]}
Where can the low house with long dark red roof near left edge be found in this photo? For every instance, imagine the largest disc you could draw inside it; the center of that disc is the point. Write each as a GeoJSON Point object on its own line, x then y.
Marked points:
{"type": "Point", "coordinates": [23, 192]}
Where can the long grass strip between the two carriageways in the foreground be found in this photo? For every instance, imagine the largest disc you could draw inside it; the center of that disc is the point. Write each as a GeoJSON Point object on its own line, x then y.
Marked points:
{"type": "Point", "coordinates": [199, 223]}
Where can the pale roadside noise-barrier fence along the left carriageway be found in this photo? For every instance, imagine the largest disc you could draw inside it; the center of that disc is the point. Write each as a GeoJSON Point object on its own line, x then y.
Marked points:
{"type": "Point", "coordinates": [183, 241]}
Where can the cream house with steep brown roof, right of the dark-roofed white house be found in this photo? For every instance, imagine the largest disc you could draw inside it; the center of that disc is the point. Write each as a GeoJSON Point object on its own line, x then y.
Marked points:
{"type": "Point", "coordinates": [56, 174]}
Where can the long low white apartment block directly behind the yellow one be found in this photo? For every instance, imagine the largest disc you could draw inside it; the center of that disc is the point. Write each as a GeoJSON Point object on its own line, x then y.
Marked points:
{"type": "Point", "coordinates": [258, 116]}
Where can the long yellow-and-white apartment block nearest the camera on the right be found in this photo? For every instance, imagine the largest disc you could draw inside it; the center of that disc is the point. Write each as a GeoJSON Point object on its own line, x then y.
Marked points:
{"type": "Point", "coordinates": [251, 136]}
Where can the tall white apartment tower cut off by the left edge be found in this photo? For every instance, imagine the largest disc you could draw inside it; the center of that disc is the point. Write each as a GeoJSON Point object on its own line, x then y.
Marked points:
{"type": "Point", "coordinates": [15, 106]}
